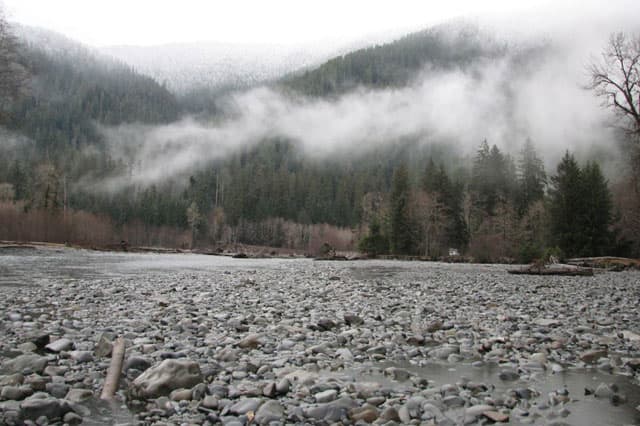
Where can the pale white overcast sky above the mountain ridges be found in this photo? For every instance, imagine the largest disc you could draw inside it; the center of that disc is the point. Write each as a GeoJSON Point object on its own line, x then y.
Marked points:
{"type": "Point", "coordinates": [147, 22]}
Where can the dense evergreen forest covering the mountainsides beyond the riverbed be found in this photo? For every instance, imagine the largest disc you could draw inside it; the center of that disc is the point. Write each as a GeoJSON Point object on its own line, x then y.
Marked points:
{"type": "Point", "coordinates": [413, 194]}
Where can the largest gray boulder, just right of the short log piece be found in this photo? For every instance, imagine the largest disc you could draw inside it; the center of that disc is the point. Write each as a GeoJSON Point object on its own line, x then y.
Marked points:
{"type": "Point", "coordinates": [165, 377]}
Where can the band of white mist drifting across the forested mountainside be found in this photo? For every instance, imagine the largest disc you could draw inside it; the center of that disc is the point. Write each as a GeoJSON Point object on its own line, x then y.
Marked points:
{"type": "Point", "coordinates": [532, 93]}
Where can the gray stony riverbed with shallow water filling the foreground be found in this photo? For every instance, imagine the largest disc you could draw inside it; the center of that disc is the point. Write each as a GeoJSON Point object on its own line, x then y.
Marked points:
{"type": "Point", "coordinates": [299, 341]}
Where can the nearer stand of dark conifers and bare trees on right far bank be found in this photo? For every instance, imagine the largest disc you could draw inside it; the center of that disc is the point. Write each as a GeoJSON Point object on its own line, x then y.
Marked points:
{"type": "Point", "coordinates": [506, 210]}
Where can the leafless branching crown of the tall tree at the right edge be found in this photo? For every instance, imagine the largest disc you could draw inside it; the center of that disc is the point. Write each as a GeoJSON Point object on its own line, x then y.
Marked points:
{"type": "Point", "coordinates": [616, 78]}
